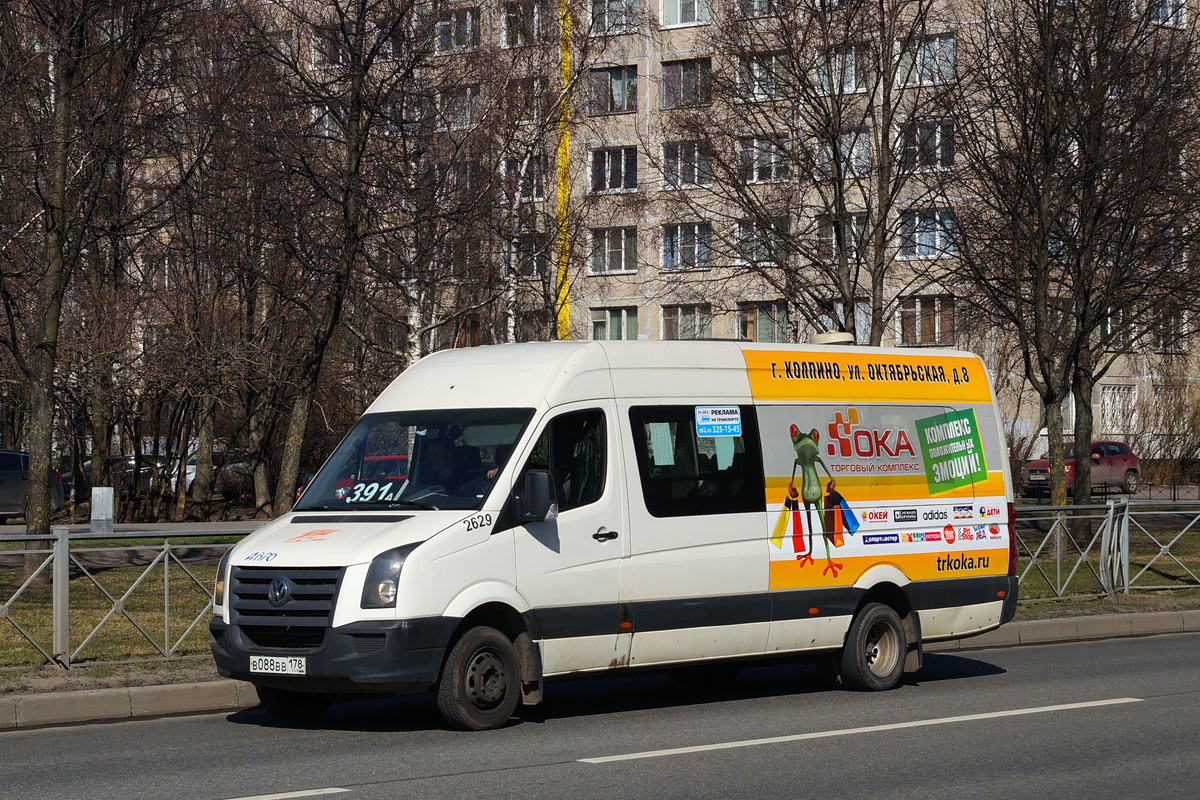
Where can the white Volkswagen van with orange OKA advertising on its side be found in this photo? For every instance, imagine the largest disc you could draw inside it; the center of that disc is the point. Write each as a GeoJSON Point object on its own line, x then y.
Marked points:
{"type": "Point", "coordinates": [584, 507]}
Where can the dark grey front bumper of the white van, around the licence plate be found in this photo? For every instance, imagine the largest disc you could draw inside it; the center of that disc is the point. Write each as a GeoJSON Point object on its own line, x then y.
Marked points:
{"type": "Point", "coordinates": [374, 657]}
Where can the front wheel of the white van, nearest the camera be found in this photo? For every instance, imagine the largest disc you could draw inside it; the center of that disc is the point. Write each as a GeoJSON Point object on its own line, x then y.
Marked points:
{"type": "Point", "coordinates": [481, 684]}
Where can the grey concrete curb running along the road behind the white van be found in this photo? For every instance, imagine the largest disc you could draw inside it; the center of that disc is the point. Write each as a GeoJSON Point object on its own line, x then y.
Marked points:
{"type": "Point", "coordinates": [28, 712]}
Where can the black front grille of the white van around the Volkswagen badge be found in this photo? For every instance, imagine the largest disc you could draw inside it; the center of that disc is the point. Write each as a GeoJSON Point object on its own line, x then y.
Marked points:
{"type": "Point", "coordinates": [301, 622]}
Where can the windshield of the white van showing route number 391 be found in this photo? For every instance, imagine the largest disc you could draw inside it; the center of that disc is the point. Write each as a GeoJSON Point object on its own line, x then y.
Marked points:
{"type": "Point", "coordinates": [446, 459]}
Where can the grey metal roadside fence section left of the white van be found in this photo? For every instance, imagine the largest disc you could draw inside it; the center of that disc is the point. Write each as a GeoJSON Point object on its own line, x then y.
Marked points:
{"type": "Point", "coordinates": [157, 569]}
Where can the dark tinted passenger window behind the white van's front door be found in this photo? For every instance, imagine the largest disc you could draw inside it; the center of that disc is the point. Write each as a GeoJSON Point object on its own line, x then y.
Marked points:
{"type": "Point", "coordinates": [687, 476]}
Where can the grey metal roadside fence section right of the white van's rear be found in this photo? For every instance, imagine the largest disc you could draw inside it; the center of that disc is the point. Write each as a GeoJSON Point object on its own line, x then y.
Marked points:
{"type": "Point", "coordinates": [1107, 550]}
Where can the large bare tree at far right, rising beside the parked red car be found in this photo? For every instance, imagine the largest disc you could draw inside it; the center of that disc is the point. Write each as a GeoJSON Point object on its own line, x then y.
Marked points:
{"type": "Point", "coordinates": [1070, 133]}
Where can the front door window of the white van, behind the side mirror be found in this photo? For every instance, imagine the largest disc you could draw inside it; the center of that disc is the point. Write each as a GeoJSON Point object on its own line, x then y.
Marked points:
{"type": "Point", "coordinates": [574, 449]}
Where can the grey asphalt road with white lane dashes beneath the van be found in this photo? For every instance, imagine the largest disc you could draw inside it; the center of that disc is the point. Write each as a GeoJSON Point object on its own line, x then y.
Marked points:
{"type": "Point", "coordinates": [1118, 719]}
